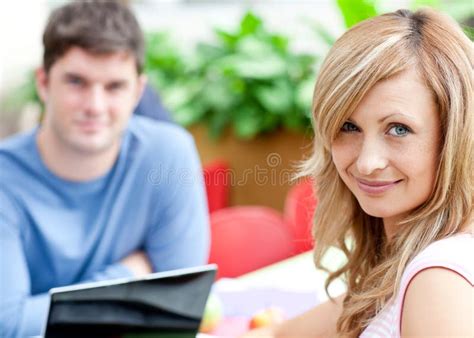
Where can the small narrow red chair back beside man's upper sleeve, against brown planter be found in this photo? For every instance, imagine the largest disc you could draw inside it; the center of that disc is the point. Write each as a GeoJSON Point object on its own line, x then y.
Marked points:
{"type": "Point", "coordinates": [217, 181]}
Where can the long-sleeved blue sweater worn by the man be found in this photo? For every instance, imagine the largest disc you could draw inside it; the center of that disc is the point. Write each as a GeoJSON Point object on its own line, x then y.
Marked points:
{"type": "Point", "coordinates": [55, 232]}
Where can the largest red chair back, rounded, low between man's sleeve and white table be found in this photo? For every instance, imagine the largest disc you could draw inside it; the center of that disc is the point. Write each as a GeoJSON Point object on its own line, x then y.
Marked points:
{"type": "Point", "coordinates": [248, 238]}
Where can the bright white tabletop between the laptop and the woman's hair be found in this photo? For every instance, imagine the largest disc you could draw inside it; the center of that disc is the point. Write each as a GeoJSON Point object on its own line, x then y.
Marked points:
{"type": "Point", "coordinates": [294, 285]}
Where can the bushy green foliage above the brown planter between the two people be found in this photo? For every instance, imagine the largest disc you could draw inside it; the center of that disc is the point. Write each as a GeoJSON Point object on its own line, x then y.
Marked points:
{"type": "Point", "coordinates": [248, 79]}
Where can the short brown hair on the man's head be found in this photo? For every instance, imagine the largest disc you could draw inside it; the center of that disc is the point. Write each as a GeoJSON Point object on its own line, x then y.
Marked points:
{"type": "Point", "coordinates": [99, 27]}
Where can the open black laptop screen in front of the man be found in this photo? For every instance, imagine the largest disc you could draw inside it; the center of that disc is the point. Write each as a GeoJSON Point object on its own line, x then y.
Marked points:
{"type": "Point", "coordinates": [162, 305]}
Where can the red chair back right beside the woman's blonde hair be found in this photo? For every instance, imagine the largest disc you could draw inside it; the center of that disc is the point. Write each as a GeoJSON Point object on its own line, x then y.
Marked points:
{"type": "Point", "coordinates": [300, 204]}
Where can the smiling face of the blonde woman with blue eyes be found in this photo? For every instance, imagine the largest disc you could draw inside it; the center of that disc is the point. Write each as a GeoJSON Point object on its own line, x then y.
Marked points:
{"type": "Point", "coordinates": [387, 151]}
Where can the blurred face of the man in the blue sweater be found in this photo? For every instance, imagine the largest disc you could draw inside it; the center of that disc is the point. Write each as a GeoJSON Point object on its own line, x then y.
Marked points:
{"type": "Point", "coordinates": [89, 99]}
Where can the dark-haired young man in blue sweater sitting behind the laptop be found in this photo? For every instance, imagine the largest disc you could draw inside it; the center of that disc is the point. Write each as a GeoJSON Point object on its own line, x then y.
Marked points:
{"type": "Point", "coordinates": [93, 193]}
